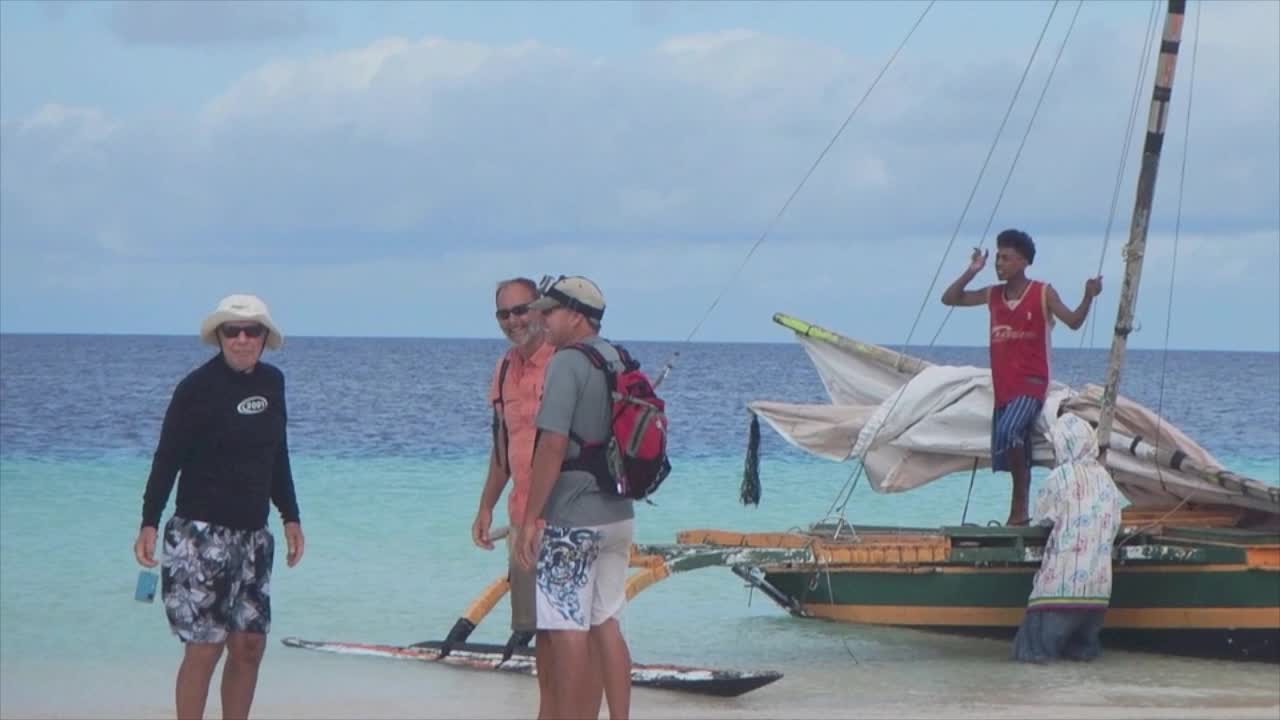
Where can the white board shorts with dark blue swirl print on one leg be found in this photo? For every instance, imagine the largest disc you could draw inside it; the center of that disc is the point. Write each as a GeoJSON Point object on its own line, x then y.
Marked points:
{"type": "Point", "coordinates": [582, 576]}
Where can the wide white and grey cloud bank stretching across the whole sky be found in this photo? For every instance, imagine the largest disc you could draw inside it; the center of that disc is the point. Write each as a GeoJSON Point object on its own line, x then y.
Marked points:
{"type": "Point", "coordinates": [460, 162]}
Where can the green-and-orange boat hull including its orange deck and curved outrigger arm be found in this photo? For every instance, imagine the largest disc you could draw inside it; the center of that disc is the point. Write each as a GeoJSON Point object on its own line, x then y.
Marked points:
{"type": "Point", "coordinates": [1201, 591]}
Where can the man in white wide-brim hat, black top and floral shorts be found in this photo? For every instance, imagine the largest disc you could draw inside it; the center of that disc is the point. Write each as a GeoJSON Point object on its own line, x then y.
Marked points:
{"type": "Point", "coordinates": [225, 443]}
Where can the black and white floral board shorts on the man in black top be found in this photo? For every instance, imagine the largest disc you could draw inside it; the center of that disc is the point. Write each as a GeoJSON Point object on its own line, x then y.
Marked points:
{"type": "Point", "coordinates": [216, 581]}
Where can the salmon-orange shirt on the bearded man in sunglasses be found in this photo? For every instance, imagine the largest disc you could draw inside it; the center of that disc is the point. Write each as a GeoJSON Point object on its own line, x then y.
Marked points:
{"type": "Point", "coordinates": [522, 393]}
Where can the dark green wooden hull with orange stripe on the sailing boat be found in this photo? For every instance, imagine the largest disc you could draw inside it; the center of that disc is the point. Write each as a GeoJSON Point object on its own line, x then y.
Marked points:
{"type": "Point", "coordinates": [1213, 609]}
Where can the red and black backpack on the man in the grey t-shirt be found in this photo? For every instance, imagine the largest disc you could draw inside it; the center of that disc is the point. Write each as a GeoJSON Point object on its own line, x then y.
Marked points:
{"type": "Point", "coordinates": [633, 461]}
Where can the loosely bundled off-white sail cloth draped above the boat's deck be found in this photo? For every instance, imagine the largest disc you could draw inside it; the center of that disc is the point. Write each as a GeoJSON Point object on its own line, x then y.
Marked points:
{"type": "Point", "coordinates": [913, 430]}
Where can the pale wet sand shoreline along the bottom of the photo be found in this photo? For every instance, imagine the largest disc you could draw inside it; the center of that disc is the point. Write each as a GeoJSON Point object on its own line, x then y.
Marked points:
{"type": "Point", "coordinates": [296, 685]}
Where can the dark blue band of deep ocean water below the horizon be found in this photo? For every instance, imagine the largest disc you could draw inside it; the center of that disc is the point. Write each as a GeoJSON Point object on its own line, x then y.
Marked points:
{"type": "Point", "coordinates": [89, 397]}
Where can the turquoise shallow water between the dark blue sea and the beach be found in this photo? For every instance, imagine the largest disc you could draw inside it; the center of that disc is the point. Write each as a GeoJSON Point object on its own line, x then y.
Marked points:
{"type": "Point", "coordinates": [400, 568]}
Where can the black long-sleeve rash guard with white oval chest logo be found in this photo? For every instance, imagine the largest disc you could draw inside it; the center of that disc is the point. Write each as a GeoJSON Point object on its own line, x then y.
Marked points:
{"type": "Point", "coordinates": [226, 434]}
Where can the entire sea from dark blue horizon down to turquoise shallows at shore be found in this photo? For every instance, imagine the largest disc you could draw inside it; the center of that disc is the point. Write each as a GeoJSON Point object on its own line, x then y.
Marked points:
{"type": "Point", "coordinates": [388, 480]}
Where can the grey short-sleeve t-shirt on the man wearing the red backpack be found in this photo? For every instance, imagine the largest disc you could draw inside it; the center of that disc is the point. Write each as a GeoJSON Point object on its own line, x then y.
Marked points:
{"type": "Point", "coordinates": [575, 398]}
